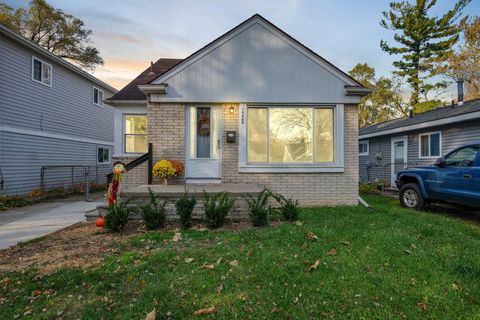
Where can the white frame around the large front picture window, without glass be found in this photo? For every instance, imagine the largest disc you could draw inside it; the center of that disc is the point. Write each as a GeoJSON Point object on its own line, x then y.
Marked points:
{"type": "Point", "coordinates": [338, 151]}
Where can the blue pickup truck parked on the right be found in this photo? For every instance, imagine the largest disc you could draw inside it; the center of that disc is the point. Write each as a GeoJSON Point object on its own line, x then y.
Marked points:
{"type": "Point", "coordinates": [454, 178]}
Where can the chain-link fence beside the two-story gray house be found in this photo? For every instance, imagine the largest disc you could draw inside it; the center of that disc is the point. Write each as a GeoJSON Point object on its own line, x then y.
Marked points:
{"type": "Point", "coordinates": [59, 180]}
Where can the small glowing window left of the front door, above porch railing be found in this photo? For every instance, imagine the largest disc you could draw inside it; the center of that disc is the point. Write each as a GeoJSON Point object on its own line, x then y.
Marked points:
{"type": "Point", "coordinates": [136, 134]}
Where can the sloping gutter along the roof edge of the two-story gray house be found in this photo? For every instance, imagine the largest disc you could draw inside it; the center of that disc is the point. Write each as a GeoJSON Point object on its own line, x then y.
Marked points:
{"type": "Point", "coordinates": [38, 49]}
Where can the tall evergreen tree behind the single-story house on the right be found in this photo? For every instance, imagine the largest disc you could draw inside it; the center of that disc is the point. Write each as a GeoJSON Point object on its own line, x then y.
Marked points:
{"type": "Point", "coordinates": [424, 41]}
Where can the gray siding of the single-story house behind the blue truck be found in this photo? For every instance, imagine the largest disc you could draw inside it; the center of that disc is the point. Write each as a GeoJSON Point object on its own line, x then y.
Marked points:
{"type": "Point", "coordinates": [452, 137]}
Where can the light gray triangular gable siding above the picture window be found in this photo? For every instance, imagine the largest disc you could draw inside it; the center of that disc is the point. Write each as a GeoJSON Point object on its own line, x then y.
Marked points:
{"type": "Point", "coordinates": [255, 66]}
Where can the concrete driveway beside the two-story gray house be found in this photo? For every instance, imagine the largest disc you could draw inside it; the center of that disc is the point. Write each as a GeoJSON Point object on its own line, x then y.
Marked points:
{"type": "Point", "coordinates": [23, 224]}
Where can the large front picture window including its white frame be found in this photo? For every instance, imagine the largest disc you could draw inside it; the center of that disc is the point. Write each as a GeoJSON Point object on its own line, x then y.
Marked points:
{"type": "Point", "coordinates": [291, 139]}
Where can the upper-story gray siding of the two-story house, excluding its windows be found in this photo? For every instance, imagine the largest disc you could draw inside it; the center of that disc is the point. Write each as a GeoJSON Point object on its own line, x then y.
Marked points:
{"type": "Point", "coordinates": [65, 108]}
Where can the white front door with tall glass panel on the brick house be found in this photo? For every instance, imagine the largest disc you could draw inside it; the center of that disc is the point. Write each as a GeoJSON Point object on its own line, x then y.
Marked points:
{"type": "Point", "coordinates": [203, 143]}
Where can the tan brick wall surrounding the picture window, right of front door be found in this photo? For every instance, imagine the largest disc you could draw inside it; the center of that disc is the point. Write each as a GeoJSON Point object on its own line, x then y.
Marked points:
{"type": "Point", "coordinates": [310, 188]}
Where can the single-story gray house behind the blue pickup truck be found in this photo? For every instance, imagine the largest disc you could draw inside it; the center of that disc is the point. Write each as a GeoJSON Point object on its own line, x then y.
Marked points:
{"type": "Point", "coordinates": [387, 147]}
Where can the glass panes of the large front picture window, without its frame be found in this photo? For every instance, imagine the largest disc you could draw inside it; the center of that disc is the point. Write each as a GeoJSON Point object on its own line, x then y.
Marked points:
{"type": "Point", "coordinates": [290, 135]}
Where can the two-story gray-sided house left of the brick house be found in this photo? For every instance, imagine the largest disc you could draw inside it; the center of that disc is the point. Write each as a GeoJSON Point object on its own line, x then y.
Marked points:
{"type": "Point", "coordinates": [51, 113]}
